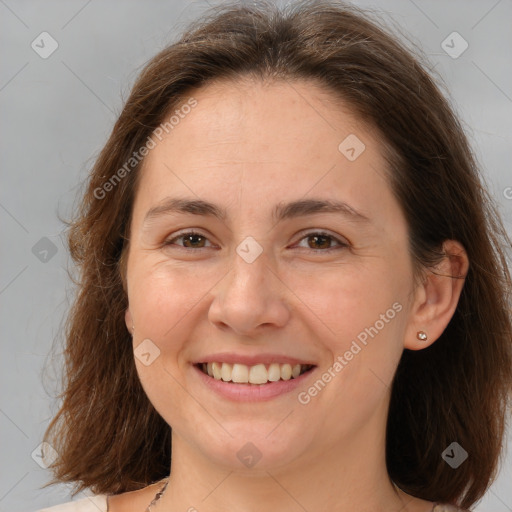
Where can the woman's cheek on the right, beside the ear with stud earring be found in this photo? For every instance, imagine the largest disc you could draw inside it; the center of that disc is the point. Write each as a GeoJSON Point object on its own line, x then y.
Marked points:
{"type": "Point", "coordinates": [360, 318]}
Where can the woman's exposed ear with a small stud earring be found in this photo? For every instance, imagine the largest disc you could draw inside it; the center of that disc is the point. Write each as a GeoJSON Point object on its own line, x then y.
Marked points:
{"type": "Point", "coordinates": [437, 297]}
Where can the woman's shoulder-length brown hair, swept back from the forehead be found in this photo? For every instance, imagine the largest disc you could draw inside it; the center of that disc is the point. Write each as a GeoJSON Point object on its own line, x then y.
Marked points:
{"type": "Point", "coordinates": [108, 435]}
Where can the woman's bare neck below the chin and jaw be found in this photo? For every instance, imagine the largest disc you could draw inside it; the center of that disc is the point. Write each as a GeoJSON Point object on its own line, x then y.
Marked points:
{"type": "Point", "coordinates": [353, 477]}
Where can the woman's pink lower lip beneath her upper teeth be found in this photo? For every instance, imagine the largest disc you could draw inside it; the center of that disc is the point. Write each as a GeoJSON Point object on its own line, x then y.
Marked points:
{"type": "Point", "coordinates": [252, 392]}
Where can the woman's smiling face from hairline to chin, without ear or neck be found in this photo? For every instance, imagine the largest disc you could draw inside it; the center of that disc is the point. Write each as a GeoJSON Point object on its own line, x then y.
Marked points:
{"type": "Point", "coordinates": [265, 282]}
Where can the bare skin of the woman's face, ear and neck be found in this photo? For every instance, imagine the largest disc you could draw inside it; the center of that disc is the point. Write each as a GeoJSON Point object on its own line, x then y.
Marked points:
{"type": "Point", "coordinates": [247, 147]}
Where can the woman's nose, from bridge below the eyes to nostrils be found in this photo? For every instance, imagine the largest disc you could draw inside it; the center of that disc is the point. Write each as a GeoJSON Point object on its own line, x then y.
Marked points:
{"type": "Point", "coordinates": [250, 299]}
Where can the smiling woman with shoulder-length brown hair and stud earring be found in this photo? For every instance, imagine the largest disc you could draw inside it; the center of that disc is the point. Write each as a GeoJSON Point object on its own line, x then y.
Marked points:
{"type": "Point", "coordinates": [288, 258]}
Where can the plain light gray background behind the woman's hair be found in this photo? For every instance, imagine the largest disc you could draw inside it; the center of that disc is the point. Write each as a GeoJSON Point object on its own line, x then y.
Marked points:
{"type": "Point", "coordinates": [56, 115]}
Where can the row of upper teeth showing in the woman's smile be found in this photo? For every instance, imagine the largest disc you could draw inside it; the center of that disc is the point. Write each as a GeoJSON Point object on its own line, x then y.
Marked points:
{"type": "Point", "coordinates": [257, 374]}
